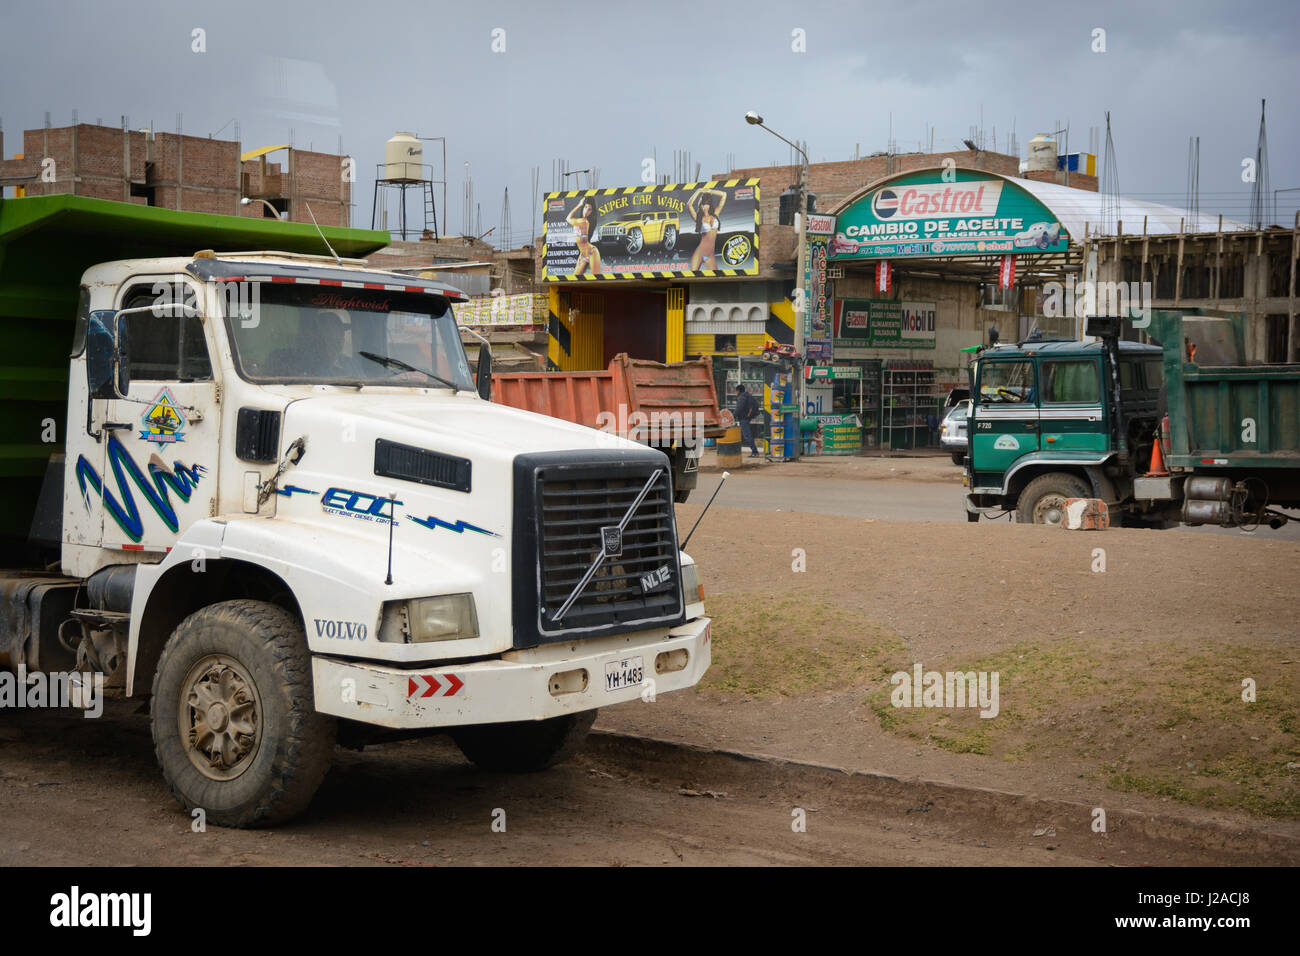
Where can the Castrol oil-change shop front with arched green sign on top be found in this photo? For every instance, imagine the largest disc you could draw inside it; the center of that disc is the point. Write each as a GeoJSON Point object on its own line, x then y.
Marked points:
{"type": "Point", "coordinates": [917, 269]}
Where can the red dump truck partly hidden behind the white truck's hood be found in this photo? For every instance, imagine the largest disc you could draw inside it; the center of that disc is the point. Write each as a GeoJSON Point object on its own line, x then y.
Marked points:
{"type": "Point", "coordinates": [671, 408]}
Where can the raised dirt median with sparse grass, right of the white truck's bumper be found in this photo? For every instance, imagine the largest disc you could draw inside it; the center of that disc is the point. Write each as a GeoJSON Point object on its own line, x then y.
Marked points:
{"type": "Point", "coordinates": [1120, 687]}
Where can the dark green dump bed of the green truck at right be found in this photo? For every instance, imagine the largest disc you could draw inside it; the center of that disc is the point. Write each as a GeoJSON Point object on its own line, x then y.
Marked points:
{"type": "Point", "coordinates": [1223, 413]}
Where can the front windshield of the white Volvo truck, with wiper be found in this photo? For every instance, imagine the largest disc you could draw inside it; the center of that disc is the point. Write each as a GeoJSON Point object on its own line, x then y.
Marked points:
{"type": "Point", "coordinates": [313, 335]}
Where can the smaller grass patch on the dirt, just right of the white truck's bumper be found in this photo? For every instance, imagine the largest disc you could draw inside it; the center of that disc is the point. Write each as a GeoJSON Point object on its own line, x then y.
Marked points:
{"type": "Point", "coordinates": [766, 647]}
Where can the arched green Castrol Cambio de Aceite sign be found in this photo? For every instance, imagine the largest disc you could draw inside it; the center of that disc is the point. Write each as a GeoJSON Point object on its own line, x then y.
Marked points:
{"type": "Point", "coordinates": [924, 215]}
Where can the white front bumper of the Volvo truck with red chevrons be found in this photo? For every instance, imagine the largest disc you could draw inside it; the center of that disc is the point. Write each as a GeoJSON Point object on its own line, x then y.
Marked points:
{"type": "Point", "coordinates": [534, 685]}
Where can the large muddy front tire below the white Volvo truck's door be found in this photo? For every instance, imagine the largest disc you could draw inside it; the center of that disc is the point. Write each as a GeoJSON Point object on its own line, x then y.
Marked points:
{"type": "Point", "coordinates": [235, 725]}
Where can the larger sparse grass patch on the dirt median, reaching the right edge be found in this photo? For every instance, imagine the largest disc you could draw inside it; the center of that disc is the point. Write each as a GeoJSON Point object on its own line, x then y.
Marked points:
{"type": "Point", "coordinates": [1149, 719]}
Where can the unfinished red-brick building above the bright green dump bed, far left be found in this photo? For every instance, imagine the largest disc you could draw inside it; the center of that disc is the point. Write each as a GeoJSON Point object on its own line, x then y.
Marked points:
{"type": "Point", "coordinates": [177, 172]}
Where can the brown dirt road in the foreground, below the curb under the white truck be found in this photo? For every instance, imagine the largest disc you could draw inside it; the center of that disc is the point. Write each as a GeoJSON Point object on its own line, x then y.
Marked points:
{"type": "Point", "coordinates": [88, 794]}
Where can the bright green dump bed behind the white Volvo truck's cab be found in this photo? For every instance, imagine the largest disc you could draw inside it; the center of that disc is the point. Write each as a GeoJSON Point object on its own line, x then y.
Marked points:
{"type": "Point", "coordinates": [46, 245]}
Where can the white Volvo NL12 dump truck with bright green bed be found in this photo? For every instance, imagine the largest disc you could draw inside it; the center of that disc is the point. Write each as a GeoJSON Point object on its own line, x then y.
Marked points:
{"type": "Point", "coordinates": [267, 494]}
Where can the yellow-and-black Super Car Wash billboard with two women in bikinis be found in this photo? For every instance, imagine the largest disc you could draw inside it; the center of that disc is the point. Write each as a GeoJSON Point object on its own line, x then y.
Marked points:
{"type": "Point", "coordinates": [652, 232]}
